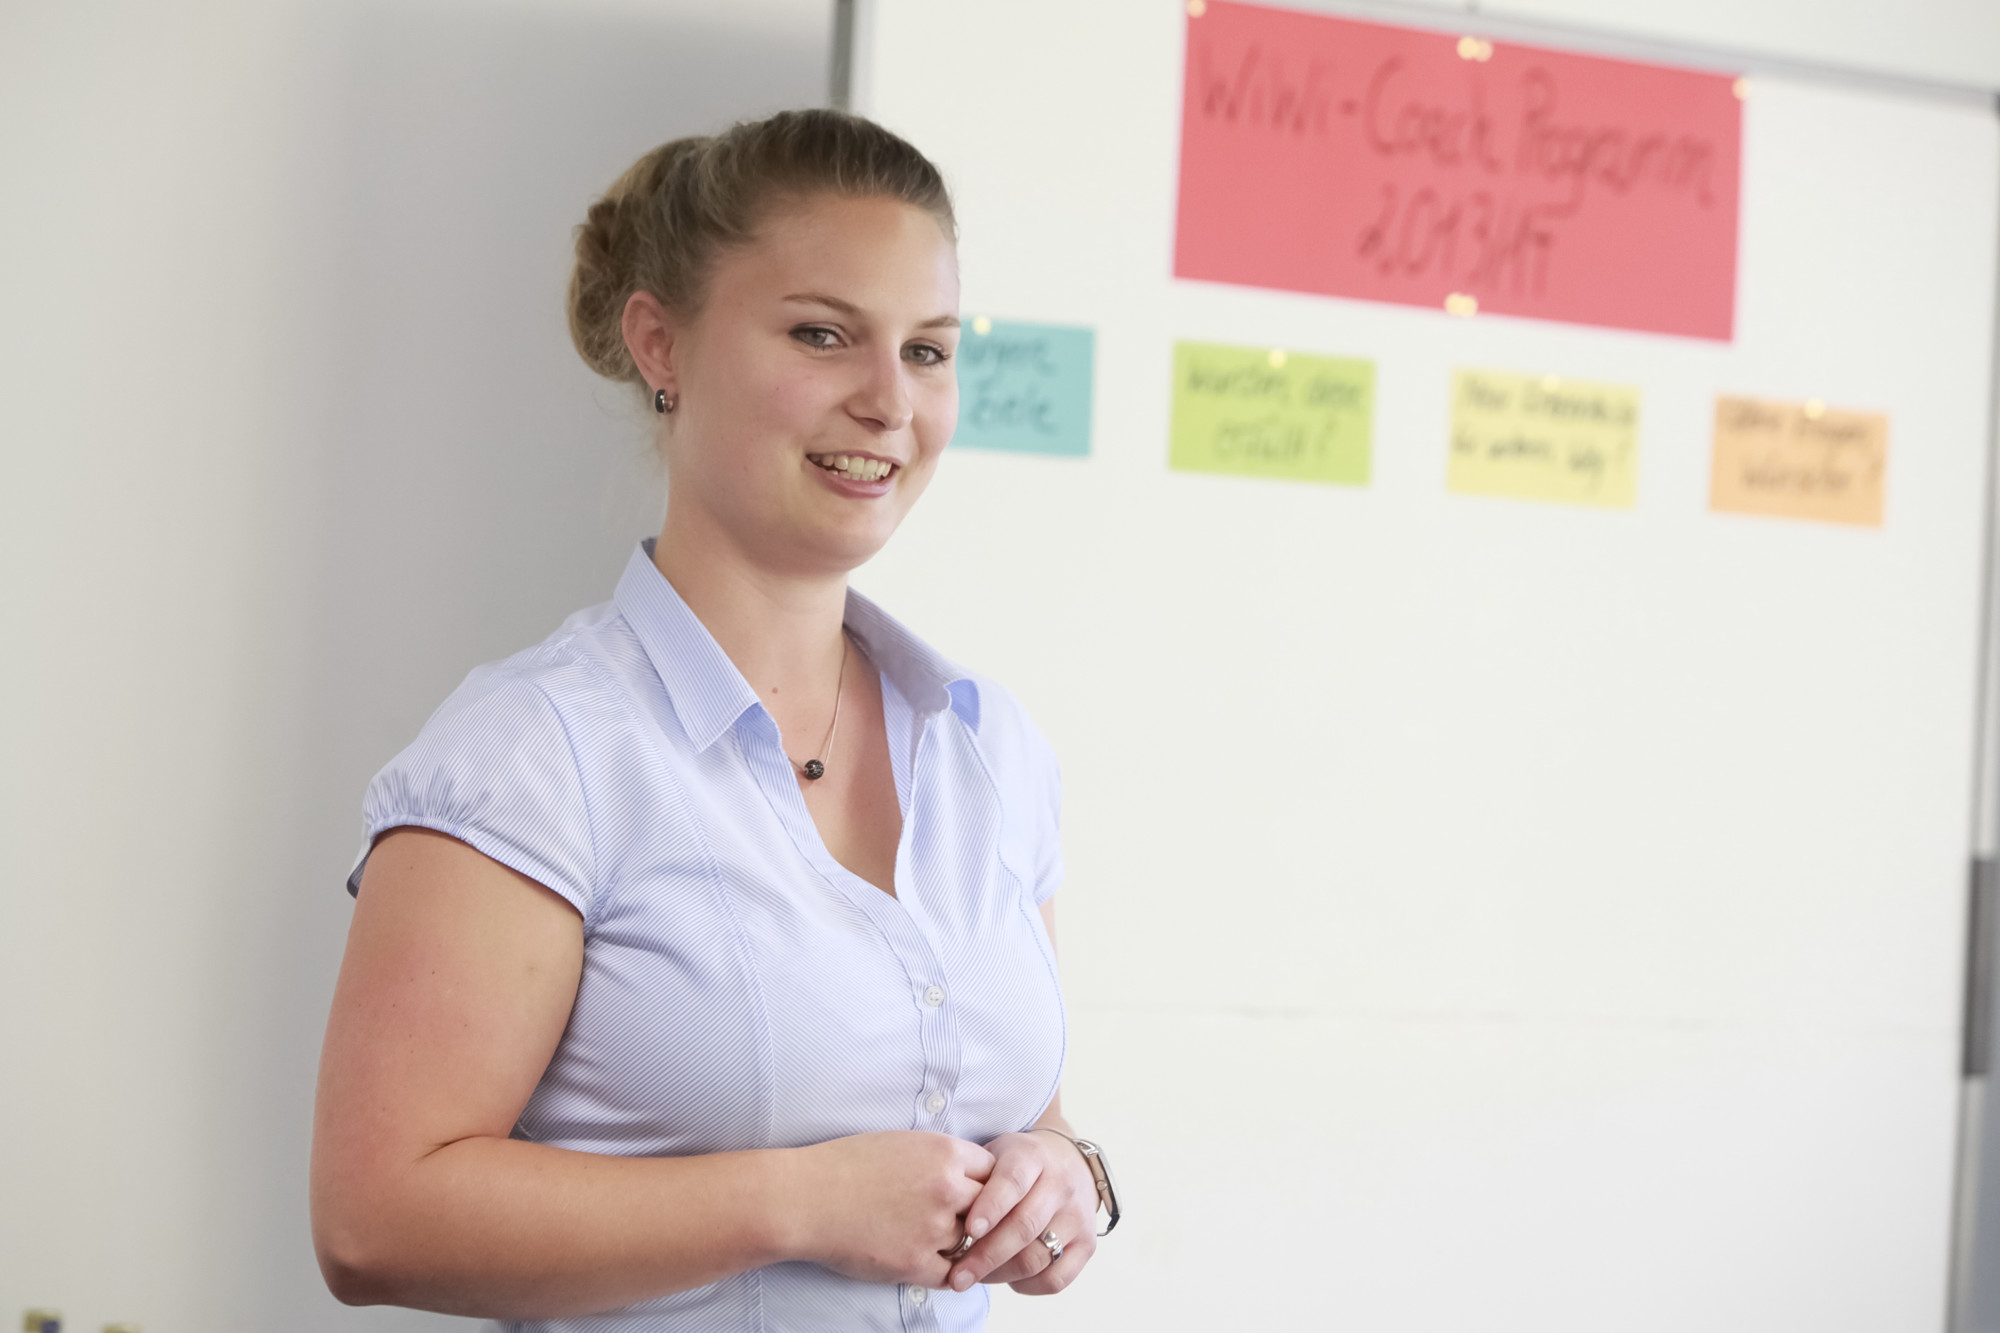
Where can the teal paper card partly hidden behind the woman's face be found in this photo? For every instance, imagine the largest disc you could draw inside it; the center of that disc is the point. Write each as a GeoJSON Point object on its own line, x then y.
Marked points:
{"type": "Point", "coordinates": [1025, 387]}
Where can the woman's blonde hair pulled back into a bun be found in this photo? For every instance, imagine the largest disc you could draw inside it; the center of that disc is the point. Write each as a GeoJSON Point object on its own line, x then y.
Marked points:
{"type": "Point", "coordinates": [661, 225]}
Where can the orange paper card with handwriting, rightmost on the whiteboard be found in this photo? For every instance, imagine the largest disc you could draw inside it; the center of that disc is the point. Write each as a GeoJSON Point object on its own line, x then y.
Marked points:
{"type": "Point", "coordinates": [1799, 461]}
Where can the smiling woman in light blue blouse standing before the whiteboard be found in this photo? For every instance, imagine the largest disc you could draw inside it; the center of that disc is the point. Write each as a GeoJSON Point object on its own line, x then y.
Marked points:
{"type": "Point", "coordinates": [703, 958]}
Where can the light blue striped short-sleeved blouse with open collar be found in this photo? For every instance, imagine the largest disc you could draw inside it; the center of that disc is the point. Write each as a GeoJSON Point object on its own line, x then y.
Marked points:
{"type": "Point", "coordinates": [741, 988]}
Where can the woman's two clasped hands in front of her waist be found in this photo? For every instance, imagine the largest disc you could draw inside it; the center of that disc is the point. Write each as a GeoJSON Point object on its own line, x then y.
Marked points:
{"type": "Point", "coordinates": [909, 1200]}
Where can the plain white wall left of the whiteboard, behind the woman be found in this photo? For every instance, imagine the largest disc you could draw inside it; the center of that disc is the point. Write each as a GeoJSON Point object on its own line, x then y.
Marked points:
{"type": "Point", "coordinates": [293, 439]}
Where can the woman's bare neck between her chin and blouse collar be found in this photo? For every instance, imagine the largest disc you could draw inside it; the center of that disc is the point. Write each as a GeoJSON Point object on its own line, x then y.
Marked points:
{"type": "Point", "coordinates": [781, 631]}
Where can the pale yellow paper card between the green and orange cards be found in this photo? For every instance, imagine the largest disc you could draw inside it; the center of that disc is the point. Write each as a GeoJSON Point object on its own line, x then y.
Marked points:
{"type": "Point", "coordinates": [1541, 437]}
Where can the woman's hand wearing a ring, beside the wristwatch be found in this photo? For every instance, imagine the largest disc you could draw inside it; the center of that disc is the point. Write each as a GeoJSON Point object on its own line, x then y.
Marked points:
{"type": "Point", "coordinates": [1039, 1184]}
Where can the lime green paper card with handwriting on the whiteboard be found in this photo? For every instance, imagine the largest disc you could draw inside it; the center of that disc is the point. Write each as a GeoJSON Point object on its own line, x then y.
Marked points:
{"type": "Point", "coordinates": [1261, 411]}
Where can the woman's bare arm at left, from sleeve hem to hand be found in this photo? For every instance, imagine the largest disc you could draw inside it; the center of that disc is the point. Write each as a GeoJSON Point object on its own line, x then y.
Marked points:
{"type": "Point", "coordinates": [453, 996]}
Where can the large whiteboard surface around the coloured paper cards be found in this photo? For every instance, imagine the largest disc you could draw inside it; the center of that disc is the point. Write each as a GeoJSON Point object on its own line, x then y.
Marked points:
{"type": "Point", "coordinates": [1481, 914]}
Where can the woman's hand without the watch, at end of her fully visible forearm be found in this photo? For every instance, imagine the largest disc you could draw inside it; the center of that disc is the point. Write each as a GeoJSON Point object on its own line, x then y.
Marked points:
{"type": "Point", "coordinates": [881, 1208]}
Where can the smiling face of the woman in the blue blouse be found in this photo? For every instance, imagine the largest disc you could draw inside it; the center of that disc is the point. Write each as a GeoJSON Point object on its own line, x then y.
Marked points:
{"type": "Point", "coordinates": [817, 383]}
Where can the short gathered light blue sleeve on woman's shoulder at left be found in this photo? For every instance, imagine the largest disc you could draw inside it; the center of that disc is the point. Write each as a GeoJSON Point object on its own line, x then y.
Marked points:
{"type": "Point", "coordinates": [497, 772]}
